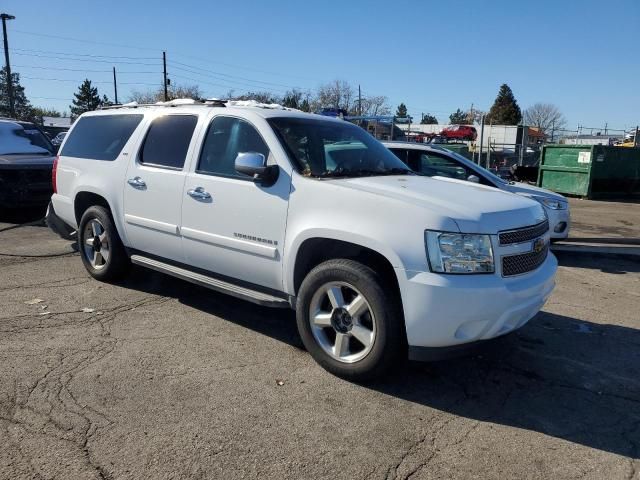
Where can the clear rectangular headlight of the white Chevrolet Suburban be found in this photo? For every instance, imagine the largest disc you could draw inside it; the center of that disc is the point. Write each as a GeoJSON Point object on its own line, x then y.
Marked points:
{"type": "Point", "coordinates": [459, 252]}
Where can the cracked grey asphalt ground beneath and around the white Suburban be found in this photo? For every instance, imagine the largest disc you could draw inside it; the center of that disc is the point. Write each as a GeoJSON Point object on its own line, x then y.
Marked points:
{"type": "Point", "coordinates": [157, 378]}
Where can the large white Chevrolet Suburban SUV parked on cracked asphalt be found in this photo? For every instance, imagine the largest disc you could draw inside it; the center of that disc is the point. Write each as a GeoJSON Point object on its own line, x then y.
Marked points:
{"type": "Point", "coordinates": [289, 209]}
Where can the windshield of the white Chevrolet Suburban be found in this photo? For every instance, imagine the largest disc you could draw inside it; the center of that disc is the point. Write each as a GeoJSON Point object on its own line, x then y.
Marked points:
{"type": "Point", "coordinates": [322, 148]}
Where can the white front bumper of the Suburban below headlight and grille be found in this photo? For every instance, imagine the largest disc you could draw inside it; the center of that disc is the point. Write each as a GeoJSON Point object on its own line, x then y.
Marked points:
{"type": "Point", "coordinates": [447, 310]}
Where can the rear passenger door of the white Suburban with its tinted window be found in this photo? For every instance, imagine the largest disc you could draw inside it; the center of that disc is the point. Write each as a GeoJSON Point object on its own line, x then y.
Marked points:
{"type": "Point", "coordinates": [154, 183]}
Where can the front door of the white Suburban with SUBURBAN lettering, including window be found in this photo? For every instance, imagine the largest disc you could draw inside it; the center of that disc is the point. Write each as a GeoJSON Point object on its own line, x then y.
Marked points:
{"type": "Point", "coordinates": [231, 225]}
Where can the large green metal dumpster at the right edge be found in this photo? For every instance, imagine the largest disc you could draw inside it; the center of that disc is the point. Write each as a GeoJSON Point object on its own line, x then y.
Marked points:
{"type": "Point", "coordinates": [590, 171]}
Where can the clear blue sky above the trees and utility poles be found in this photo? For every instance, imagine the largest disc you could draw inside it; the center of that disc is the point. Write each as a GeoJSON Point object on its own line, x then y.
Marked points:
{"type": "Point", "coordinates": [433, 56]}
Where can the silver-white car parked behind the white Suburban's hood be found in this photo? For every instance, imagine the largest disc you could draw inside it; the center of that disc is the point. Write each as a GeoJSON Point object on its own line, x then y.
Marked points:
{"type": "Point", "coordinates": [444, 164]}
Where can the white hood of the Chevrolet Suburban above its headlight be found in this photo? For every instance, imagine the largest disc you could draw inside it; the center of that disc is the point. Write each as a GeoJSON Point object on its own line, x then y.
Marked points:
{"type": "Point", "coordinates": [474, 208]}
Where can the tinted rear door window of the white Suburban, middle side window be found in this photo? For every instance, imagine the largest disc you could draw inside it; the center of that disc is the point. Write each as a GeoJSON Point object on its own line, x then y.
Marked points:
{"type": "Point", "coordinates": [168, 140]}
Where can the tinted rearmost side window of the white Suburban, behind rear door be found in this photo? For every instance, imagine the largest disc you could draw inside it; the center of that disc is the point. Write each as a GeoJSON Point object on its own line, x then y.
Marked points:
{"type": "Point", "coordinates": [101, 137]}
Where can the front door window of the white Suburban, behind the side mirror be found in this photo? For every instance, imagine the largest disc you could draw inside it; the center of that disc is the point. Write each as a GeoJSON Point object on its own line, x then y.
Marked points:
{"type": "Point", "coordinates": [226, 138]}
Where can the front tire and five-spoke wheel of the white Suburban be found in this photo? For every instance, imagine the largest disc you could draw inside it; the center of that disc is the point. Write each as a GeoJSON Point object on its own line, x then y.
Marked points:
{"type": "Point", "coordinates": [374, 334]}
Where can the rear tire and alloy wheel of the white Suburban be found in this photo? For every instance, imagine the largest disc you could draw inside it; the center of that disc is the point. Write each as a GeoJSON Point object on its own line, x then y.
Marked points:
{"type": "Point", "coordinates": [101, 249]}
